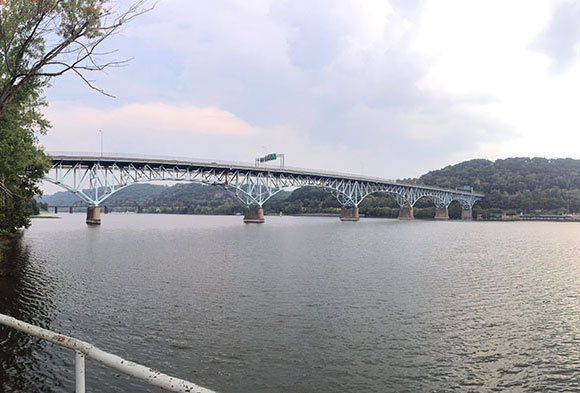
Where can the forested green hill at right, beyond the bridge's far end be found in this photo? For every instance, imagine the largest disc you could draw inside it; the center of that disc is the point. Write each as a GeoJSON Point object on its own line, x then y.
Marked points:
{"type": "Point", "coordinates": [523, 184]}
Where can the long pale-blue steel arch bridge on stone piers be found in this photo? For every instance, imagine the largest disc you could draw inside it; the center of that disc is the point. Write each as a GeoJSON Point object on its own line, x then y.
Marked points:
{"type": "Point", "coordinates": [94, 178]}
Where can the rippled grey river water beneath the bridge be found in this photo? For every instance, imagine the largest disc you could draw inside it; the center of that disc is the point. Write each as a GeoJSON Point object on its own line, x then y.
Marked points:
{"type": "Point", "coordinates": [297, 304]}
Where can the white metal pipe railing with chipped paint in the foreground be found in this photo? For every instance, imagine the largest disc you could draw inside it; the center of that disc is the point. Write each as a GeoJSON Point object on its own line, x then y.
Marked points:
{"type": "Point", "coordinates": [83, 349]}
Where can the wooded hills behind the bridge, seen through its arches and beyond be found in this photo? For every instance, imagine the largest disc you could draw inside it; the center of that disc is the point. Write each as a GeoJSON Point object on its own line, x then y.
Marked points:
{"type": "Point", "coordinates": [512, 185]}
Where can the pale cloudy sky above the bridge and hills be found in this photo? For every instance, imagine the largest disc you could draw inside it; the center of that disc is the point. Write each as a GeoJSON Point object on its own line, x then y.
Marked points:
{"type": "Point", "coordinates": [389, 88]}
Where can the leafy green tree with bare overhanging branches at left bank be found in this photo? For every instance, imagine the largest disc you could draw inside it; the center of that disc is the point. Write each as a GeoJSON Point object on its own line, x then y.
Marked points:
{"type": "Point", "coordinates": [40, 40]}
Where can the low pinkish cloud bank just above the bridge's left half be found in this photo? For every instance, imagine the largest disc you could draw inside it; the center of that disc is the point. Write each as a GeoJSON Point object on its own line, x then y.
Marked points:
{"type": "Point", "coordinates": [185, 131]}
